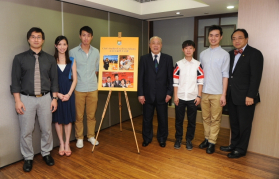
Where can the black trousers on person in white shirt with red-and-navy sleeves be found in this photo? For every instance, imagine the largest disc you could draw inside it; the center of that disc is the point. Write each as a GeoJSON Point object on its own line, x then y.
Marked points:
{"type": "Point", "coordinates": [179, 118]}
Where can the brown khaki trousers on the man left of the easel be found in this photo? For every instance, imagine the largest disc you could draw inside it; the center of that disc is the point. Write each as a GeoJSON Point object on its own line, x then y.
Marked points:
{"type": "Point", "coordinates": [88, 99]}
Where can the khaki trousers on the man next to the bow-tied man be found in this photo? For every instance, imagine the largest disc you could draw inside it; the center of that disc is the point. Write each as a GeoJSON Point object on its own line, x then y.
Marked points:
{"type": "Point", "coordinates": [211, 115]}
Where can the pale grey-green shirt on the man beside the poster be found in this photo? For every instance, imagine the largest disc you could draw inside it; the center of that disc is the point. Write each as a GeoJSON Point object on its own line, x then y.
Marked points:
{"type": "Point", "coordinates": [87, 66]}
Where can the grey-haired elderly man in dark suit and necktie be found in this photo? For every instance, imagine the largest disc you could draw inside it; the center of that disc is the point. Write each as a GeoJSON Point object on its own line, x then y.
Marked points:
{"type": "Point", "coordinates": [155, 90]}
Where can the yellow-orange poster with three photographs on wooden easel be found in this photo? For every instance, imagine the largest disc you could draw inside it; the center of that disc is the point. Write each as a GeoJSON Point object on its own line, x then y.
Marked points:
{"type": "Point", "coordinates": [118, 69]}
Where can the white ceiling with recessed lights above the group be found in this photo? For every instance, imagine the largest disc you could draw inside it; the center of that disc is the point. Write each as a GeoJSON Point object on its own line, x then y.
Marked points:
{"type": "Point", "coordinates": [160, 9]}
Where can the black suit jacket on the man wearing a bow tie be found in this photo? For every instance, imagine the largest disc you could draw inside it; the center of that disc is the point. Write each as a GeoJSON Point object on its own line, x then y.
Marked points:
{"type": "Point", "coordinates": [245, 80]}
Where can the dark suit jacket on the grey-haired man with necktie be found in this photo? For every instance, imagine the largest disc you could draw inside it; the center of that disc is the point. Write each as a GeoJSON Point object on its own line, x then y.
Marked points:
{"type": "Point", "coordinates": [155, 86]}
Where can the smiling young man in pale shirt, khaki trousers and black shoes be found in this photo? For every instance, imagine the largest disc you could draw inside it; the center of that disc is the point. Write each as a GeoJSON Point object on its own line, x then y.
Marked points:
{"type": "Point", "coordinates": [215, 62]}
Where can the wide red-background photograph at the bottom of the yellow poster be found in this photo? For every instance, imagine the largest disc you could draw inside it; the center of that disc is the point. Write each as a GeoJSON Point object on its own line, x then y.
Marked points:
{"type": "Point", "coordinates": [118, 79]}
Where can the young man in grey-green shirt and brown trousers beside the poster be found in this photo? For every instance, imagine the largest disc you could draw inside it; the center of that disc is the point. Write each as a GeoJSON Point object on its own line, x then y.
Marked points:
{"type": "Point", "coordinates": [86, 93]}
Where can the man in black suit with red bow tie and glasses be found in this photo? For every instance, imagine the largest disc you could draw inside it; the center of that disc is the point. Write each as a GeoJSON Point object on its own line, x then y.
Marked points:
{"type": "Point", "coordinates": [246, 66]}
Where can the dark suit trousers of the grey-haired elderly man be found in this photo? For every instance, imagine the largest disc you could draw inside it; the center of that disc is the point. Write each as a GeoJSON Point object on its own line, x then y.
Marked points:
{"type": "Point", "coordinates": [147, 124]}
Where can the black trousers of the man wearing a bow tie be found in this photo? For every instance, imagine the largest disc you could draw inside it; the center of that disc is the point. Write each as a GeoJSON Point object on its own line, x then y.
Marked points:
{"type": "Point", "coordinates": [241, 117]}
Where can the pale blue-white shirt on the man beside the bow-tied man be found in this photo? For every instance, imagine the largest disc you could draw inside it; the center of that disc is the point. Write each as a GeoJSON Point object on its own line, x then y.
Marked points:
{"type": "Point", "coordinates": [215, 63]}
